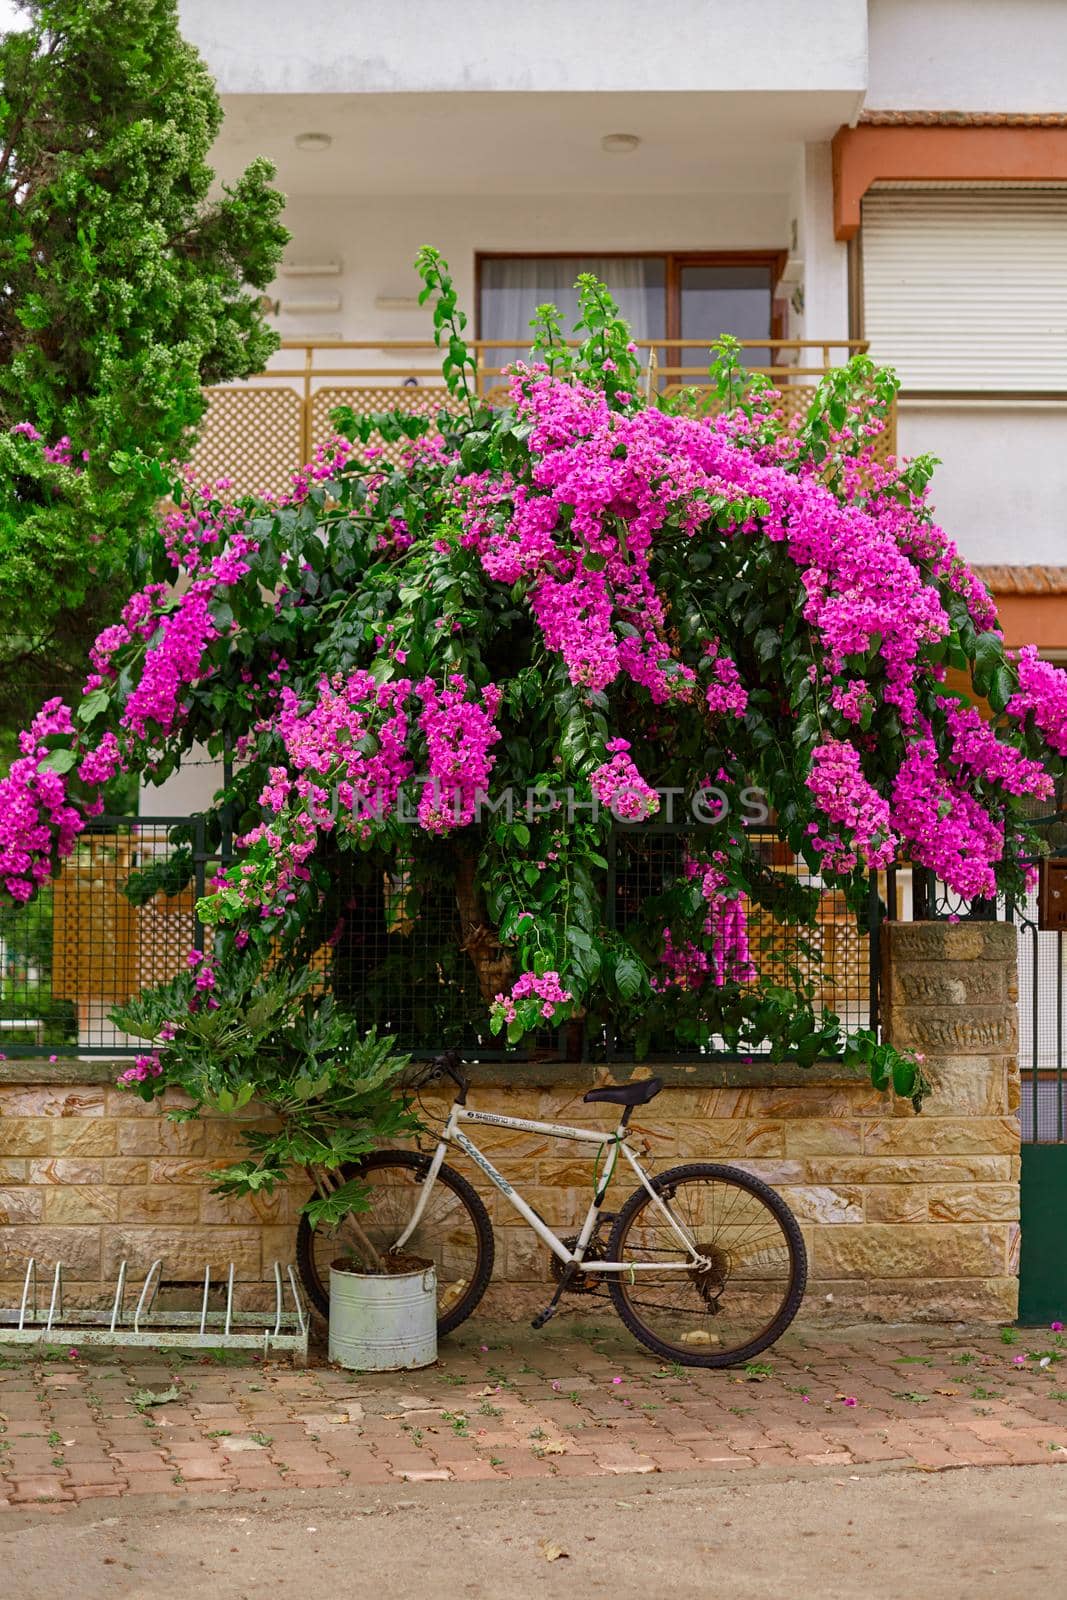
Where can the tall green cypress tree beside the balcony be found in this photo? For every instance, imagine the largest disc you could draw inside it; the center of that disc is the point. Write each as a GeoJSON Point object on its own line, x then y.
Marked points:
{"type": "Point", "coordinates": [127, 282]}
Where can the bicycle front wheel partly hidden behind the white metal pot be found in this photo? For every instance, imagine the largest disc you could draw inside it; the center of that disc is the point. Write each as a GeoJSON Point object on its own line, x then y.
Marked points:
{"type": "Point", "coordinates": [455, 1233]}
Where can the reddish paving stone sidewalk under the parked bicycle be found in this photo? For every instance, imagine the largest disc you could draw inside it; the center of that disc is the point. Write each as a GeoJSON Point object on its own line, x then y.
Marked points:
{"type": "Point", "coordinates": [578, 1401]}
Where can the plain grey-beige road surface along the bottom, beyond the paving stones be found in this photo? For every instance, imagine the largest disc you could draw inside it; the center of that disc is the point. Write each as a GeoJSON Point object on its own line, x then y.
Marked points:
{"type": "Point", "coordinates": [983, 1534]}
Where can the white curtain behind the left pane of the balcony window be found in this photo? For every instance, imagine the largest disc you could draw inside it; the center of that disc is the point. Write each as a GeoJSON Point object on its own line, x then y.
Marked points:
{"type": "Point", "coordinates": [513, 290]}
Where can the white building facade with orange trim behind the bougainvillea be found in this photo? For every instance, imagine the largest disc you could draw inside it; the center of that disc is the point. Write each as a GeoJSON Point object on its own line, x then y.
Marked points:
{"type": "Point", "coordinates": [873, 170]}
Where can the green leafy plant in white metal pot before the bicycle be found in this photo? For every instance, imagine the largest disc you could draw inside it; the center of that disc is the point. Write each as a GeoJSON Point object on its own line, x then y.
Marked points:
{"type": "Point", "coordinates": [226, 1034]}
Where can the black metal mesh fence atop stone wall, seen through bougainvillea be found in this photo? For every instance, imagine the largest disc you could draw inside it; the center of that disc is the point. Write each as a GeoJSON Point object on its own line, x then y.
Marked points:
{"type": "Point", "coordinates": [390, 950]}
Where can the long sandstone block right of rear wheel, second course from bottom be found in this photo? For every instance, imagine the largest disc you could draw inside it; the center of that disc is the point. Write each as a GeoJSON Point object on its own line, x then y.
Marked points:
{"type": "Point", "coordinates": [937, 1250]}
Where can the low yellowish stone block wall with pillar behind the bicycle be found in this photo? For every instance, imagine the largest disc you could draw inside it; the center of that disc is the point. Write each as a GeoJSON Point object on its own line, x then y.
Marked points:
{"type": "Point", "coordinates": [906, 1217]}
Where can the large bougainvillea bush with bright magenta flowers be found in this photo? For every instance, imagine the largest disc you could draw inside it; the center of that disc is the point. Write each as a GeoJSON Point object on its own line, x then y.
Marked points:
{"type": "Point", "coordinates": [596, 598]}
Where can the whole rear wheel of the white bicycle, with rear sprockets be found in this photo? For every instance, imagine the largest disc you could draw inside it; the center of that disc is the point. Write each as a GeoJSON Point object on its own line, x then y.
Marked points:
{"type": "Point", "coordinates": [746, 1295]}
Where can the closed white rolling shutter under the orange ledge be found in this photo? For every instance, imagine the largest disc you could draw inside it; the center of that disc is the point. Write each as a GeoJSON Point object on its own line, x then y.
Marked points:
{"type": "Point", "coordinates": [967, 290]}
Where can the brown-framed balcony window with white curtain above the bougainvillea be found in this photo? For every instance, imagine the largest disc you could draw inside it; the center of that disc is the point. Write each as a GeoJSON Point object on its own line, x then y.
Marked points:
{"type": "Point", "coordinates": [674, 297]}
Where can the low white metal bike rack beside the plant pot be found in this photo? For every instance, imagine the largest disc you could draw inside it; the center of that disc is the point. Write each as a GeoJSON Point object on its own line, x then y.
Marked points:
{"type": "Point", "coordinates": [140, 1324]}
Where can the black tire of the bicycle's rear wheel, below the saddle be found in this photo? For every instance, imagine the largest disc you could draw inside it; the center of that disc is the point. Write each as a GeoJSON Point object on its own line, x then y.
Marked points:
{"type": "Point", "coordinates": [794, 1290]}
